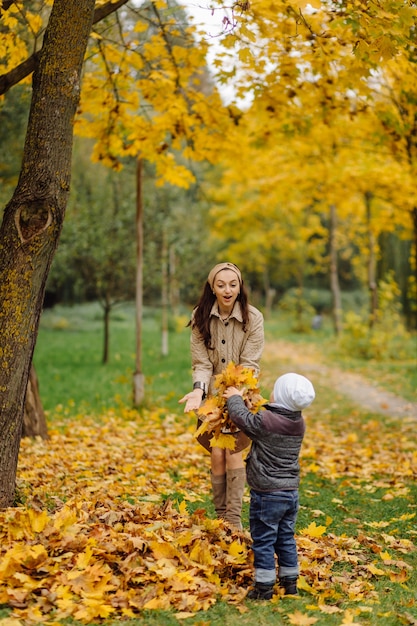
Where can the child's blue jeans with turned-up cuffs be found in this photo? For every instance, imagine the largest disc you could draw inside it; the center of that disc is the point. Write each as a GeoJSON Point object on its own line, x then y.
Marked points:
{"type": "Point", "coordinates": [272, 519]}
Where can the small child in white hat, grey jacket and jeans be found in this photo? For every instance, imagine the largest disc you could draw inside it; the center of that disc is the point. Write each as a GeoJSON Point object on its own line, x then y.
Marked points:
{"type": "Point", "coordinates": [273, 474]}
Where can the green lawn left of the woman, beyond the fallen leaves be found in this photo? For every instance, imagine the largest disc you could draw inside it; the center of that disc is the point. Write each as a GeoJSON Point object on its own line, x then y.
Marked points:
{"type": "Point", "coordinates": [69, 352]}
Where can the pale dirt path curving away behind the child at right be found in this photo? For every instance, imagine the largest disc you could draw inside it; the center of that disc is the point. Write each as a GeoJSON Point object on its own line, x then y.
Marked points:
{"type": "Point", "coordinates": [307, 360]}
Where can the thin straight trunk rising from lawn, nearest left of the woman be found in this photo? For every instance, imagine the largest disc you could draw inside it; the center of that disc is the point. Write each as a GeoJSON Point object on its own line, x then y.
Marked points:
{"type": "Point", "coordinates": [138, 377]}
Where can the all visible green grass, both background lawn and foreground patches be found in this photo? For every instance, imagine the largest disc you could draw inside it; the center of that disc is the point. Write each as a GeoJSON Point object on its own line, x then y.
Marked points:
{"type": "Point", "coordinates": [68, 362]}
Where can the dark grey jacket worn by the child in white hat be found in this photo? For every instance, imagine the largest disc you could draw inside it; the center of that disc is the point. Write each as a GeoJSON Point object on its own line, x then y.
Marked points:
{"type": "Point", "coordinates": [276, 434]}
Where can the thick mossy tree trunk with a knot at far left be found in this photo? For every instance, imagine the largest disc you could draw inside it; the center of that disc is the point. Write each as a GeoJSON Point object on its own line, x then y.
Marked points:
{"type": "Point", "coordinates": [33, 218]}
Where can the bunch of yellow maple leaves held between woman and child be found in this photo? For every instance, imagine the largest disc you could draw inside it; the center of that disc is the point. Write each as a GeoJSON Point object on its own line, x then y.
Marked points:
{"type": "Point", "coordinates": [213, 412]}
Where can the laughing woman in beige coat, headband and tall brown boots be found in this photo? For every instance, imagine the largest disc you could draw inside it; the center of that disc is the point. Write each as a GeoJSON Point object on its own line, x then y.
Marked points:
{"type": "Point", "coordinates": [225, 327]}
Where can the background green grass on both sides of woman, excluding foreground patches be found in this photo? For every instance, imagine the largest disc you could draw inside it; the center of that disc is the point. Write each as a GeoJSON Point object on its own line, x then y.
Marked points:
{"type": "Point", "coordinates": [69, 351]}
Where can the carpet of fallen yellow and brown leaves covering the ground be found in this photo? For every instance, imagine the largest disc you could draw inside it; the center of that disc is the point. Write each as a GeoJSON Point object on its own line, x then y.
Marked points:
{"type": "Point", "coordinates": [113, 521]}
